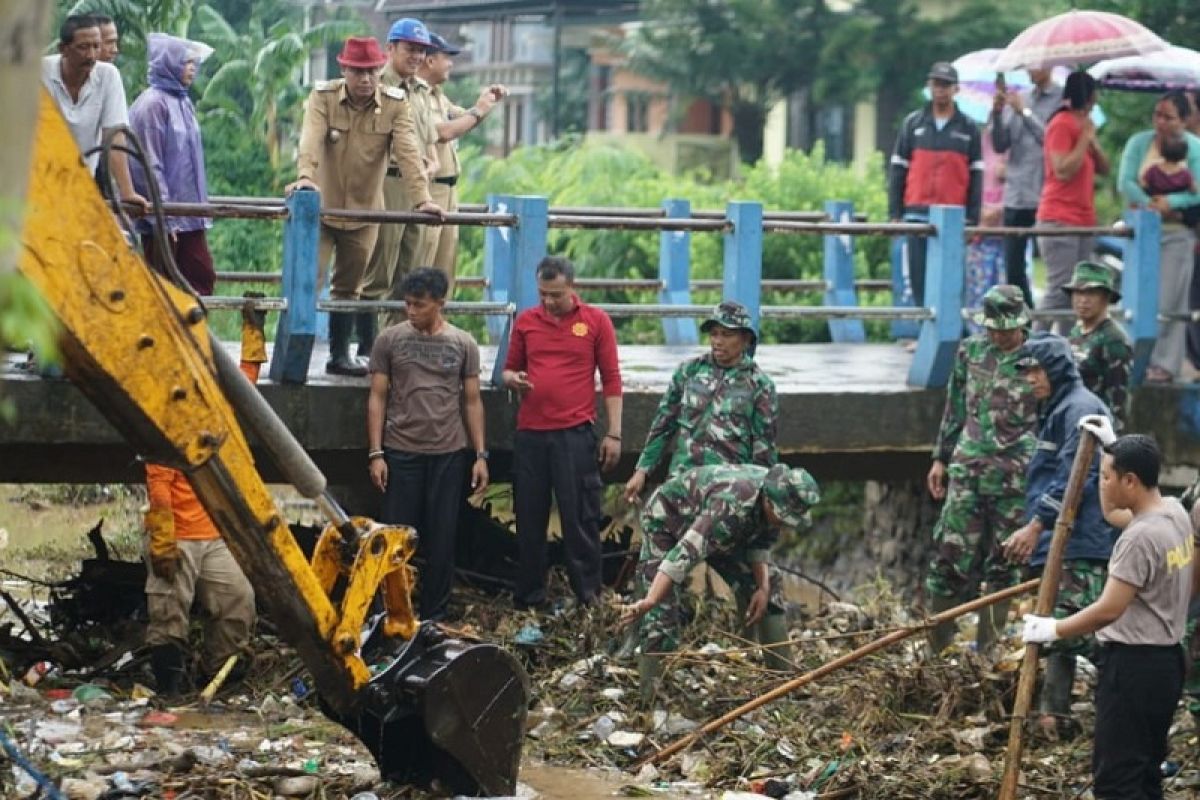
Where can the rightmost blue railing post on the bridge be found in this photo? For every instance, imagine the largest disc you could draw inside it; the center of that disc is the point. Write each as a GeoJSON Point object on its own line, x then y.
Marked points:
{"type": "Point", "coordinates": [1139, 287]}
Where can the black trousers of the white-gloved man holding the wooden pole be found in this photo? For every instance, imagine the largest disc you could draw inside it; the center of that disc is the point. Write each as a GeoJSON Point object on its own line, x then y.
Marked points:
{"type": "Point", "coordinates": [1136, 696]}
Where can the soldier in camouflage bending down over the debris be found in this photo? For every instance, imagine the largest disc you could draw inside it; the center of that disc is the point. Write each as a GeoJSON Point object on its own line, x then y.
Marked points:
{"type": "Point", "coordinates": [728, 516]}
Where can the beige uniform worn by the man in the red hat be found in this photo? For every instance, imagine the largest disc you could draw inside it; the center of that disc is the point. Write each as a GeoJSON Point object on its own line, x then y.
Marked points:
{"type": "Point", "coordinates": [345, 152]}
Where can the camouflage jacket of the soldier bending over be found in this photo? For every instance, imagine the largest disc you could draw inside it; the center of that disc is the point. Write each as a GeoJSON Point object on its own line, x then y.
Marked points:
{"type": "Point", "coordinates": [710, 512]}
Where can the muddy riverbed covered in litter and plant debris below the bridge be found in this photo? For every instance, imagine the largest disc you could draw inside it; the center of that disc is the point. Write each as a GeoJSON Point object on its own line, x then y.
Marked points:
{"type": "Point", "coordinates": [896, 725]}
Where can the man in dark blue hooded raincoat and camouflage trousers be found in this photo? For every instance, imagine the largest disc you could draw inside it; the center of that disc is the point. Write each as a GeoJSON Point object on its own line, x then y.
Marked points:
{"type": "Point", "coordinates": [1049, 366]}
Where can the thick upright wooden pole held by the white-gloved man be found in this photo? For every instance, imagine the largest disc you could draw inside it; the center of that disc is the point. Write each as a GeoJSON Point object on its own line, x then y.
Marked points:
{"type": "Point", "coordinates": [1048, 593]}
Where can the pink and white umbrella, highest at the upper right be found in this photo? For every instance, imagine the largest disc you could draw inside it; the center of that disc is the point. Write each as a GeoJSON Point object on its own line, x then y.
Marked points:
{"type": "Point", "coordinates": [1079, 38]}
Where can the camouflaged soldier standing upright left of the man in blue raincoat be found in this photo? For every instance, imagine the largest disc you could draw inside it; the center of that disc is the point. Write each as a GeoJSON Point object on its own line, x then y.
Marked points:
{"type": "Point", "coordinates": [983, 447]}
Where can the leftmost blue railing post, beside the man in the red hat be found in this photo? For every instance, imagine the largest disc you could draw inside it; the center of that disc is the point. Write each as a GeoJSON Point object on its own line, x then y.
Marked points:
{"type": "Point", "coordinates": [298, 324]}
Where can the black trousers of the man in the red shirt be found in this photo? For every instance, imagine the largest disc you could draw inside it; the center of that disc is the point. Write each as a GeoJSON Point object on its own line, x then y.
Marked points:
{"type": "Point", "coordinates": [563, 462]}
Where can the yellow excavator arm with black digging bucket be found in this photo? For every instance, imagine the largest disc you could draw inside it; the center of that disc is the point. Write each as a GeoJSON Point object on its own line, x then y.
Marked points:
{"type": "Point", "coordinates": [441, 711]}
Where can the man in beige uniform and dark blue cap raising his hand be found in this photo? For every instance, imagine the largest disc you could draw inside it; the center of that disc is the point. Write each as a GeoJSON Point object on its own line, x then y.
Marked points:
{"type": "Point", "coordinates": [451, 122]}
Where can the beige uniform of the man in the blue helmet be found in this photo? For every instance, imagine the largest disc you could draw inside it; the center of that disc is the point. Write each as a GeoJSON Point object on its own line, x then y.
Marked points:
{"type": "Point", "coordinates": [400, 245]}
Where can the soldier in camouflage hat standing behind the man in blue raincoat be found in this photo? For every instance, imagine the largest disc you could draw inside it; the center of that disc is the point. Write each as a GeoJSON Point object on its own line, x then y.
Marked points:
{"type": "Point", "coordinates": [1101, 346]}
